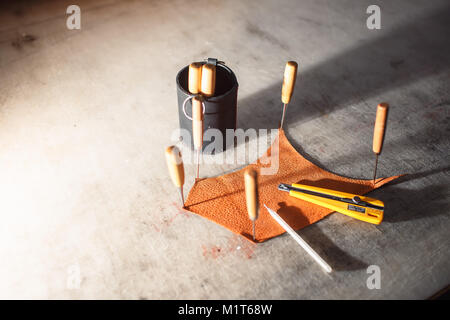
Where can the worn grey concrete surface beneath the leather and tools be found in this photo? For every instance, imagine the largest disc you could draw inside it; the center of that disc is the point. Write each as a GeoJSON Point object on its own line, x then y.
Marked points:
{"type": "Point", "coordinates": [87, 207]}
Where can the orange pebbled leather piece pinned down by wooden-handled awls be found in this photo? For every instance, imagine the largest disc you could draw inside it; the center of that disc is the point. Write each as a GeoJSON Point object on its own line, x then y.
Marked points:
{"type": "Point", "coordinates": [222, 199]}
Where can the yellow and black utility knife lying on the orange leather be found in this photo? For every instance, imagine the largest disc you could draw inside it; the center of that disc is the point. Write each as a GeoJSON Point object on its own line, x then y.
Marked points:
{"type": "Point", "coordinates": [355, 206]}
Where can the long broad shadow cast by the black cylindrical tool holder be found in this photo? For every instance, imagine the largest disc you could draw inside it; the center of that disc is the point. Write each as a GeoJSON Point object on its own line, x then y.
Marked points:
{"type": "Point", "coordinates": [417, 50]}
